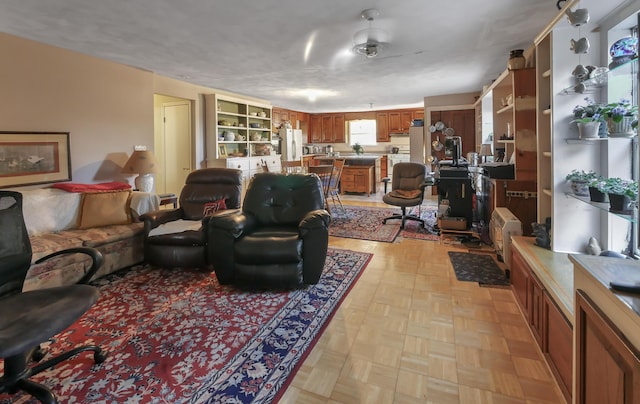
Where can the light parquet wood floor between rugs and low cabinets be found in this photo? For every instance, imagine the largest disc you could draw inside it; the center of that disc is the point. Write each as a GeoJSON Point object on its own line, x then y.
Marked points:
{"type": "Point", "coordinates": [409, 332]}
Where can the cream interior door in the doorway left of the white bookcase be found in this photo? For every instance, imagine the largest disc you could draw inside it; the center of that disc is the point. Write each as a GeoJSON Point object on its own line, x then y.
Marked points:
{"type": "Point", "coordinates": [175, 144]}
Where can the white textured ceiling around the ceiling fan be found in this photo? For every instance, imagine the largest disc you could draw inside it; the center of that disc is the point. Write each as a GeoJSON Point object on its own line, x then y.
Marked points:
{"type": "Point", "coordinates": [273, 49]}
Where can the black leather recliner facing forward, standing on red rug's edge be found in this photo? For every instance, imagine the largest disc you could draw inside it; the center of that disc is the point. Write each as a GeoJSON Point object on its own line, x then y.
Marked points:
{"type": "Point", "coordinates": [280, 237]}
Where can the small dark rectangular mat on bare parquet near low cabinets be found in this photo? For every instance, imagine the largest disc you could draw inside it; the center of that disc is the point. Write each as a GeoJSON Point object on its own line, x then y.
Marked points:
{"type": "Point", "coordinates": [479, 268]}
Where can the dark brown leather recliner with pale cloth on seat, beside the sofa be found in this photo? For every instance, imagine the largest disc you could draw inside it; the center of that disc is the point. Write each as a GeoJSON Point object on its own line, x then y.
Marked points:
{"type": "Point", "coordinates": [187, 248]}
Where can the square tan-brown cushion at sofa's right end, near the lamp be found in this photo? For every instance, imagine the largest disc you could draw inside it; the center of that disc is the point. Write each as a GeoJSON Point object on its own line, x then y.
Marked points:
{"type": "Point", "coordinates": [99, 209]}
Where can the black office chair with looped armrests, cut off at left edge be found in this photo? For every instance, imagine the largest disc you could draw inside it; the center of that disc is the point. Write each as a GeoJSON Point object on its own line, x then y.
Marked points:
{"type": "Point", "coordinates": [28, 319]}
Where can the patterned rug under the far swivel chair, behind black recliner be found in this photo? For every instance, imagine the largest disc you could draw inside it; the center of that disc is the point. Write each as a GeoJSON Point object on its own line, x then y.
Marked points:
{"type": "Point", "coordinates": [365, 223]}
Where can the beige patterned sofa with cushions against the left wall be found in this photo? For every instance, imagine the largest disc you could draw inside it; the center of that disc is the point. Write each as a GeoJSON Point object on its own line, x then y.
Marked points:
{"type": "Point", "coordinates": [107, 221]}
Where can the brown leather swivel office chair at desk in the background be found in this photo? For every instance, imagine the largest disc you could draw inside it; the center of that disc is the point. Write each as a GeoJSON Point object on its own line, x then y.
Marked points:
{"type": "Point", "coordinates": [407, 190]}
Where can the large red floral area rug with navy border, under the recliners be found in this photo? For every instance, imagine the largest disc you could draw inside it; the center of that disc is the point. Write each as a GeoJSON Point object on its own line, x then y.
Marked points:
{"type": "Point", "coordinates": [177, 336]}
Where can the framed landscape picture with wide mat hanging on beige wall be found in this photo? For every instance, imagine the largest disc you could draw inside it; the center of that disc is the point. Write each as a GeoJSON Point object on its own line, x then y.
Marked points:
{"type": "Point", "coordinates": [29, 158]}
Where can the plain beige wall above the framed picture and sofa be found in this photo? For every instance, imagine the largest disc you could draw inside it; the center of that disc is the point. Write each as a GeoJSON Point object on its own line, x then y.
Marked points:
{"type": "Point", "coordinates": [106, 107]}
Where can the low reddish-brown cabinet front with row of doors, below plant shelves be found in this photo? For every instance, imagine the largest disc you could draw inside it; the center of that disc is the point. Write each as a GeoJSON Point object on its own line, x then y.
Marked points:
{"type": "Point", "coordinates": [552, 331]}
